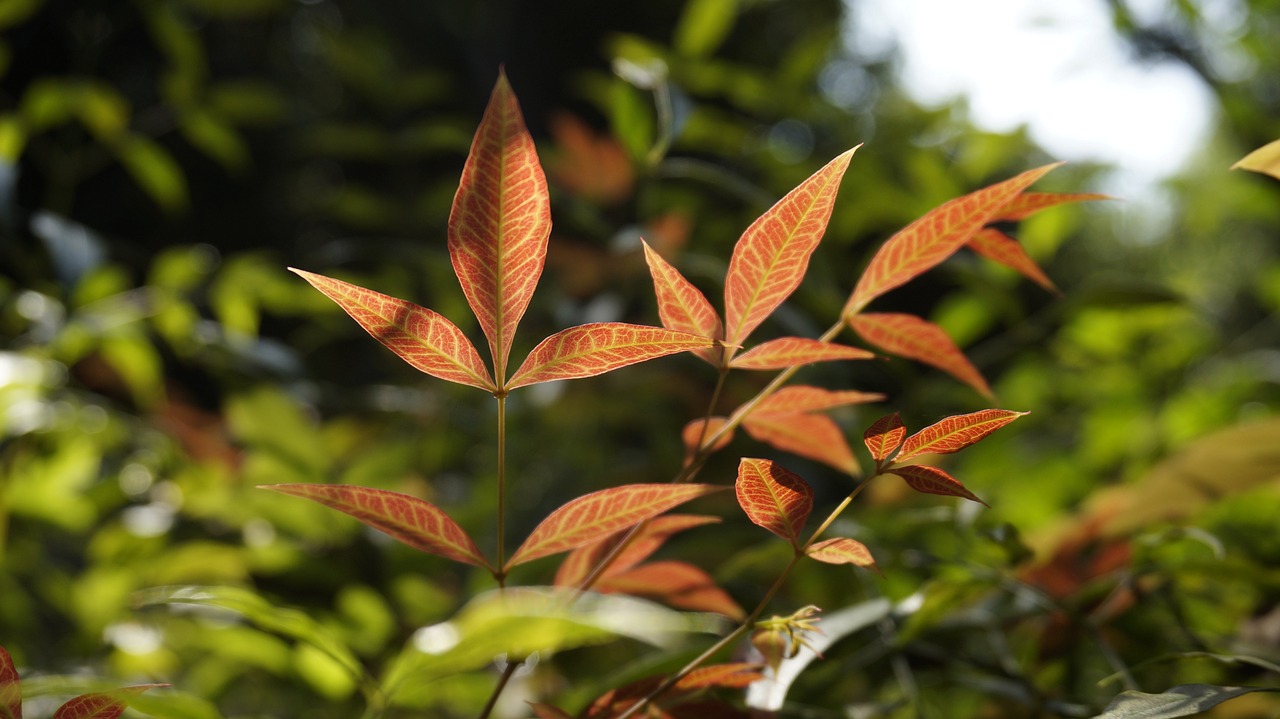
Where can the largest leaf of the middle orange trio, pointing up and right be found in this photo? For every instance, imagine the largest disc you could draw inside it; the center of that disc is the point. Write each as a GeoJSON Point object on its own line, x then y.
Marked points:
{"type": "Point", "coordinates": [772, 255]}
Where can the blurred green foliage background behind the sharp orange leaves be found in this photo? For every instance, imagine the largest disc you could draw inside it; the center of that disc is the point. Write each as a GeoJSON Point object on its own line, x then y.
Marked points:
{"type": "Point", "coordinates": [162, 162]}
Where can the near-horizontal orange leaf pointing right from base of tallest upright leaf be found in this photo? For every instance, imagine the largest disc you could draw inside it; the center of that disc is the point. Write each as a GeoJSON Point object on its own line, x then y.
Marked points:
{"type": "Point", "coordinates": [587, 351]}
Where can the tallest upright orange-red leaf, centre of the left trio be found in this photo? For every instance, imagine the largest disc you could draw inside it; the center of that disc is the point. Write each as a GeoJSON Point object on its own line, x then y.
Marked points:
{"type": "Point", "coordinates": [500, 223]}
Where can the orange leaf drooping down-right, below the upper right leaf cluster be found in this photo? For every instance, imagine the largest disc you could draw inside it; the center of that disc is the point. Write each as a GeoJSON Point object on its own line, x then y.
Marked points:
{"type": "Point", "coordinates": [918, 340]}
